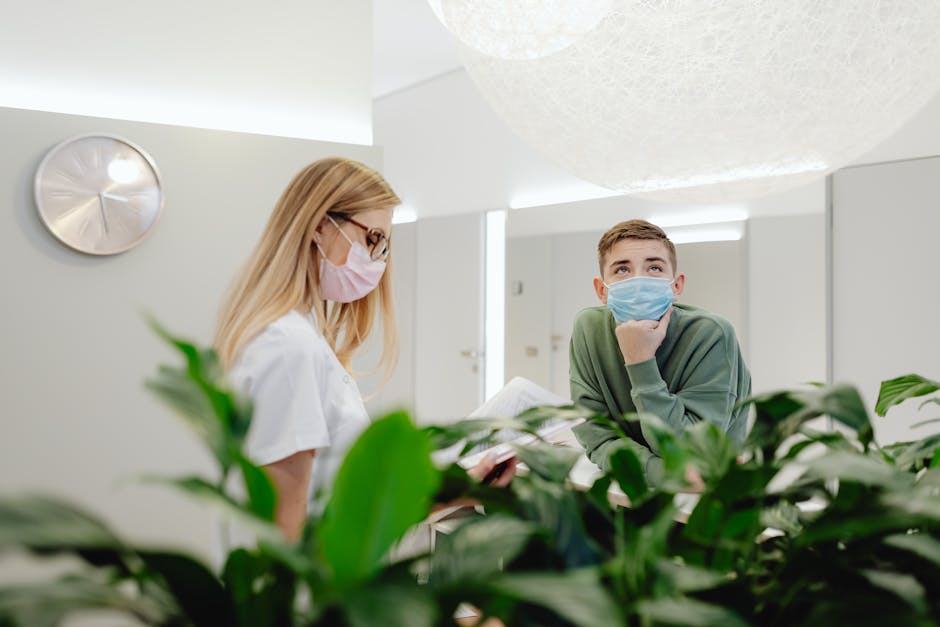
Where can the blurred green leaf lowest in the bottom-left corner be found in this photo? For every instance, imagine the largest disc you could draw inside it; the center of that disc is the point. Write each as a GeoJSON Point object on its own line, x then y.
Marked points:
{"type": "Point", "coordinates": [48, 604]}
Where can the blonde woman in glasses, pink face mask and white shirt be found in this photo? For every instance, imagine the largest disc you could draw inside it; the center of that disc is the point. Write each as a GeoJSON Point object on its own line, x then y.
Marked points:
{"type": "Point", "coordinates": [308, 297]}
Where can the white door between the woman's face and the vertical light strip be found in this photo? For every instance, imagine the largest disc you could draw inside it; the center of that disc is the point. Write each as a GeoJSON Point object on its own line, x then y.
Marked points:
{"type": "Point", "coordinates": [448, 325]}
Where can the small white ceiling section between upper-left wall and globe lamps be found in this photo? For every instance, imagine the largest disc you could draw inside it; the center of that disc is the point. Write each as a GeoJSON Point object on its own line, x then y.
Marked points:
{"type": "Point", "coordinates": [410, 45]}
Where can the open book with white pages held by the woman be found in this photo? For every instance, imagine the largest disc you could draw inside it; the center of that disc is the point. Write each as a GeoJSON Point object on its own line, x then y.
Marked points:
{"type": "Point", "coordinates": [514, 398]}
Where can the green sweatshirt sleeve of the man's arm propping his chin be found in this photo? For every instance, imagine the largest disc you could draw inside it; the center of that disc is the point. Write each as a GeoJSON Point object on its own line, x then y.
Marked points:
{"type": "Point", "coordinates": [706, 391]}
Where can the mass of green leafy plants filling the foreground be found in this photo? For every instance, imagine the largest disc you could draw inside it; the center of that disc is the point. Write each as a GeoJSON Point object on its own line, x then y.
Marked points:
{"type": "Point", "coordinates": [546, 552]}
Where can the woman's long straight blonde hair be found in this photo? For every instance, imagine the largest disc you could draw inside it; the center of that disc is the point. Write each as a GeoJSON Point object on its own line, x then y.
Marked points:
{"type": "Point", "coordinates": [282, 273]}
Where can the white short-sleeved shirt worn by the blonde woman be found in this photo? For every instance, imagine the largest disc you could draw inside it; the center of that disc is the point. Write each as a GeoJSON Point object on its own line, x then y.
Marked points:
{"type": "Point", "coordinates": [303, 398]}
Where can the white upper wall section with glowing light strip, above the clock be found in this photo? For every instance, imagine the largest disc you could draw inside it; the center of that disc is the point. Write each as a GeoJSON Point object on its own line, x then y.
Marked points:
{"type": "Point", "coordinates": [297, 68]}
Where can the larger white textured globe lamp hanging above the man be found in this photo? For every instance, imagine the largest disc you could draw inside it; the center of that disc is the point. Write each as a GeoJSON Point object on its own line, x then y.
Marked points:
{"type": "Point", "coordinates": [706, 101]}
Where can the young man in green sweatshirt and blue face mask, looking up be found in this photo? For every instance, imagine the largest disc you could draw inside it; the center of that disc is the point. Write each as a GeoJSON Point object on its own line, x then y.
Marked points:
{"type": "Point", "coordinates": [642, 352]}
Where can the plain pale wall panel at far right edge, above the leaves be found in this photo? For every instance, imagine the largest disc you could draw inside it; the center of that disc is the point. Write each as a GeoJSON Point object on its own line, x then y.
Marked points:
{"type": "Point", "coordinates": [885, 297]}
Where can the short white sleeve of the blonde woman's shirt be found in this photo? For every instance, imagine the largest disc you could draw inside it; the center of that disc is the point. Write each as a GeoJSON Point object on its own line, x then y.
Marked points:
{"type": "Point", "coordinates": [288, 402]}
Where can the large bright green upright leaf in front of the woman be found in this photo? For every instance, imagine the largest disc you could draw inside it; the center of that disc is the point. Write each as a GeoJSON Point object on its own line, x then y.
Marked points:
{"type": "Point", "coordinates": [384, 486]}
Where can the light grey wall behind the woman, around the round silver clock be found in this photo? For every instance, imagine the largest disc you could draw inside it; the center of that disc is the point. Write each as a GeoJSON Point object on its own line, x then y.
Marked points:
{"type": "Point", "coordinates": [74, 347]}
